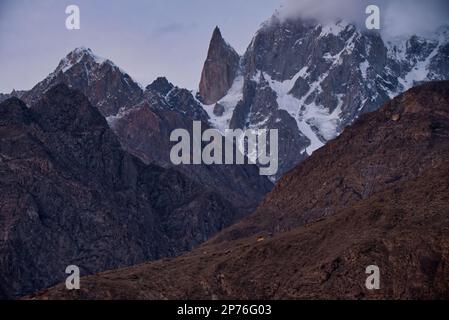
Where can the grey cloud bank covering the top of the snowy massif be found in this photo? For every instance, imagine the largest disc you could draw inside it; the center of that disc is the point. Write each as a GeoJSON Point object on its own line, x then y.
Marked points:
{"type": "Point", "coordinates": [399, 17]}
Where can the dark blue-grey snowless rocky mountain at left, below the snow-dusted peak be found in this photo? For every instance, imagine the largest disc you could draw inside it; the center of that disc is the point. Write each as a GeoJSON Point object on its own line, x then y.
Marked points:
{"type": "Point", "coordinates": [69, 195]}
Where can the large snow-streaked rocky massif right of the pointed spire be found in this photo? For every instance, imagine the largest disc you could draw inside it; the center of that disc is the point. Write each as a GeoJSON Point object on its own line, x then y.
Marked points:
{"type": "Point", "coordinates": [310, 80]}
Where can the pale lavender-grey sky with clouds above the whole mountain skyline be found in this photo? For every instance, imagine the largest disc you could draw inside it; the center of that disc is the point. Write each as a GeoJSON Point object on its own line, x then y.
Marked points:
{"type": "Point", "coordinates": [150, 38]}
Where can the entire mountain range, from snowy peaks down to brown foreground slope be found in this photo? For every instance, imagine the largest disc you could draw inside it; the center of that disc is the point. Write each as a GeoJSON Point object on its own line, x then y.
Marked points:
{"type": "Point", "coordinates": [86, 177]}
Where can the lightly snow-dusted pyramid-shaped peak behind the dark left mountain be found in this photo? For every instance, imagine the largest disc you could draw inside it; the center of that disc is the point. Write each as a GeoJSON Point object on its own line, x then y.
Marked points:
{"type": "Point", "coordinates": [107, 86]}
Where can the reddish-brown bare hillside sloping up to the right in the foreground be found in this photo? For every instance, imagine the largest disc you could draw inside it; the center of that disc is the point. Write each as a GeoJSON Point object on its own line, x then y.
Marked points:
{"type": "Point", "coordinates": [377, 195]}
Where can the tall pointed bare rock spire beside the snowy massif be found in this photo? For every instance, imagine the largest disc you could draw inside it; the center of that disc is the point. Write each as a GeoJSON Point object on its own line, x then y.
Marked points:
{"type": "Point", "coordinates": [220, 69]}
